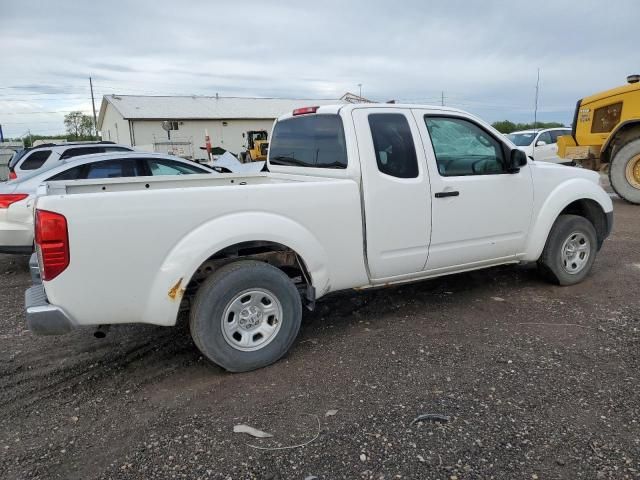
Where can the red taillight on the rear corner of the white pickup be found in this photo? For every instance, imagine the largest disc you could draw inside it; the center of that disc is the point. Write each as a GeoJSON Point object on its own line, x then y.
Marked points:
{"type": "Point", "coordinates": [52, 241]}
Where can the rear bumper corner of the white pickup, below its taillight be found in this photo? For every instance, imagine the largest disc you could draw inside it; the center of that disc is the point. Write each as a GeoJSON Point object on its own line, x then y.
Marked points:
{"type": "Point", "coordinates": [42, 317]}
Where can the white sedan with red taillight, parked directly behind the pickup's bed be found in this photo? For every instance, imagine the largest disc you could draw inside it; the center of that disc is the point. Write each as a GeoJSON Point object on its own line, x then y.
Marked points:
{"type": "Point", "coordinates": [17, 196]}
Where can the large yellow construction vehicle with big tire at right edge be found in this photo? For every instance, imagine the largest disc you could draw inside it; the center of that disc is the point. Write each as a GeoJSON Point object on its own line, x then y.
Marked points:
{"type": "Point", "coordinates": [606, 135]}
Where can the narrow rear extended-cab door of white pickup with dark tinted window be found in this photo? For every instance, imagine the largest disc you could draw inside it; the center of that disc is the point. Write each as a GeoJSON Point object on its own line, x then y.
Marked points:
{"type": "Point", "coordinates": [395, 190]}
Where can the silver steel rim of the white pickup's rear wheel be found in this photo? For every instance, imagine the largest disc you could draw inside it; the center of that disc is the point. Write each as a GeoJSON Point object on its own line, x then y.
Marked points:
{"type": "Point", "coordinates": [252, 319]}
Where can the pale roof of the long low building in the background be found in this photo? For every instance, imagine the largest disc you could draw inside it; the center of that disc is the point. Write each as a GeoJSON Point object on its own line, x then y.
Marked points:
{"type": "Point", "coordinates": [139, 107]}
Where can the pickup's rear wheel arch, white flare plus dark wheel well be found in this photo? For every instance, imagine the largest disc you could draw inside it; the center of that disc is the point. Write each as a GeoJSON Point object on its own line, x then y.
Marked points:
{"type": "Point", "coordinates": [265, 236]}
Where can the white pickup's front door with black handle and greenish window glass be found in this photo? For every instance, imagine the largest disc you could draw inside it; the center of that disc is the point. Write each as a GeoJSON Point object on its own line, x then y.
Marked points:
{"type": "Point", "coordinates": [480, 213]}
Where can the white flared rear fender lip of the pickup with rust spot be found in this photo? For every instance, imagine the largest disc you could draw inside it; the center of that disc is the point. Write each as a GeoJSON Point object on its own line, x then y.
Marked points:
{"type": "Point", "coordinates": [200, 244]}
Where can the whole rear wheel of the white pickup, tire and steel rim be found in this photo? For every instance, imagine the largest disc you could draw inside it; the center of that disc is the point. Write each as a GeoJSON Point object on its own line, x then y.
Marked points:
{"type": "Point", "coordinates": [246, 316]}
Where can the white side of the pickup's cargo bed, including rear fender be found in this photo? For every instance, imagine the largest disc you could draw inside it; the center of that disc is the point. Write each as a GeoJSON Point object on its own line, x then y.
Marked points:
{"type": "Point", "coordinates": [134, 239]}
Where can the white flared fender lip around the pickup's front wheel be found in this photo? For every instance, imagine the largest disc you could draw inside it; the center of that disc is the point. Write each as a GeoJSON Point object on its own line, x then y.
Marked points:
{"type": "Point", "coordinates": [562, 196]}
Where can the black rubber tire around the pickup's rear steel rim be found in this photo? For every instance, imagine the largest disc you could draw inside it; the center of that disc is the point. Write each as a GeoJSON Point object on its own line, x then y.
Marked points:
{"type": "Point", "coordinates": [222, 289]}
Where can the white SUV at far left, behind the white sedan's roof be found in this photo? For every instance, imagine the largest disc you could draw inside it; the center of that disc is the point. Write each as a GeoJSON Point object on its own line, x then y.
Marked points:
{"type": "Point", "coordinates": [49, 155]}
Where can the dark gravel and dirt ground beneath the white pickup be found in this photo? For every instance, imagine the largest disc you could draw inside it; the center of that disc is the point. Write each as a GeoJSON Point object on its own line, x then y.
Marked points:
{"type": "Point", "coordinates": [539, 381]}
